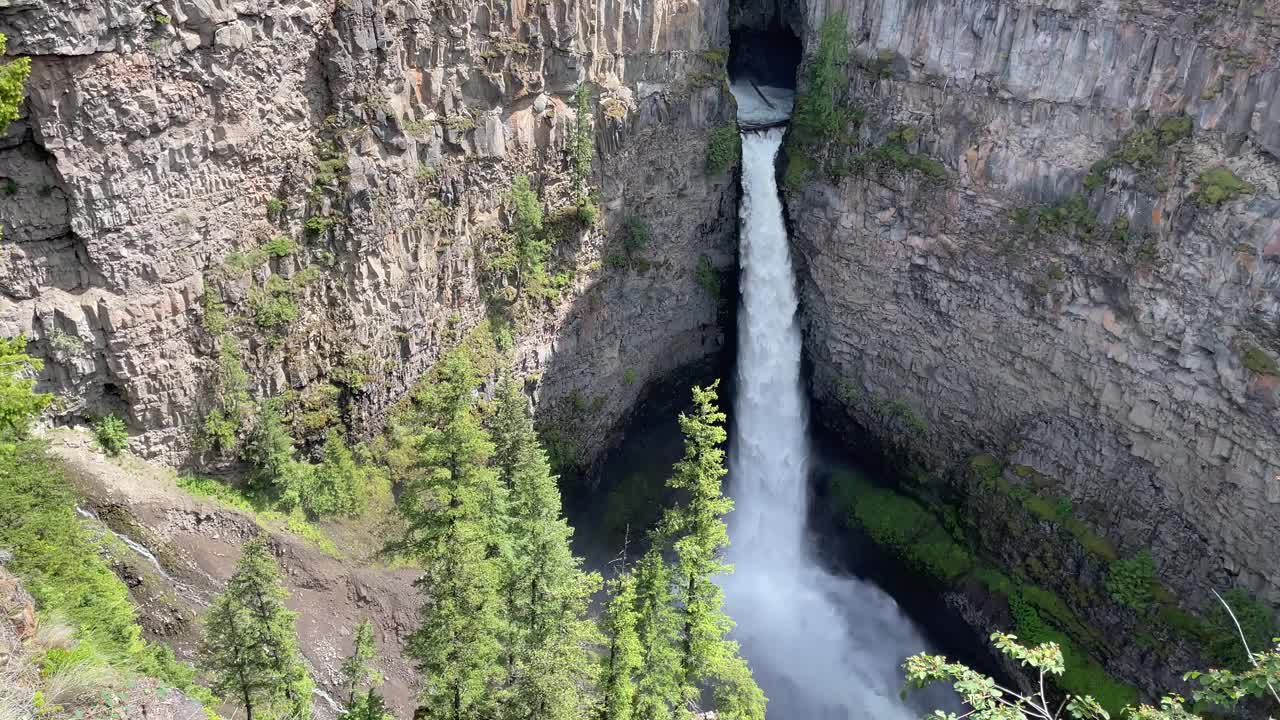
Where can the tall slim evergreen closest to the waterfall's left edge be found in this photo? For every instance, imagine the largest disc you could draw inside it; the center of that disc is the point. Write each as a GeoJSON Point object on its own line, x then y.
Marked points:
{"type": "Point", "coordinates": [701, 539]}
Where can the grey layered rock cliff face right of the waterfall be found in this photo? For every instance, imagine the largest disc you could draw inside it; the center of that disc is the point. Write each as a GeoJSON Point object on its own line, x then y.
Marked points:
{"type": "Point", "coordinates": [1026, 248]}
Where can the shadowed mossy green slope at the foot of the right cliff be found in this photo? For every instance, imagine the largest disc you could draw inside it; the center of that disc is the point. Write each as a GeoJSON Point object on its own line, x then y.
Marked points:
{"type": "Point", "coordinates": [939, 540]}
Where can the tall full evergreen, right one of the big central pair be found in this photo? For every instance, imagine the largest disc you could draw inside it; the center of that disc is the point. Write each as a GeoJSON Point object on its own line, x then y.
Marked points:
{"type": "Point", "coordinates": [546, 593]}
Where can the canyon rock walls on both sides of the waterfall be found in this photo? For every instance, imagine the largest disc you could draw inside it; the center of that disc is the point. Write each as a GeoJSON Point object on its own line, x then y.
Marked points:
{"type": "Point", "coordinates": [1039, 261]}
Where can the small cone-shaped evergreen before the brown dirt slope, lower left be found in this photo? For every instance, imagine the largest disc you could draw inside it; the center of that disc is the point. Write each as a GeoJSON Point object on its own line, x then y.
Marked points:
{"type": "Point", "coordinates": [250, 644]}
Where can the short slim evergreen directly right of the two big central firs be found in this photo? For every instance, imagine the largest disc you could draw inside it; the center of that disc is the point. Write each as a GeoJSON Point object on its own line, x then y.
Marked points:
{"type": "Point", "coordinates": [625, 655]}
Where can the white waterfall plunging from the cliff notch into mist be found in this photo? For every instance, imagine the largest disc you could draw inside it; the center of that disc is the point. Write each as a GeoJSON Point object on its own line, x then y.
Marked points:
{"type": "Point", "coordinates": [821, 646]}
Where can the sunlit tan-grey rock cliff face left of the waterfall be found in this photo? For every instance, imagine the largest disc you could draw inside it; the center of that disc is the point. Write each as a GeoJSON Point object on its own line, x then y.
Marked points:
{"type": "Point", "coordinates": [167, 147]}
